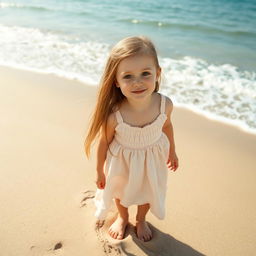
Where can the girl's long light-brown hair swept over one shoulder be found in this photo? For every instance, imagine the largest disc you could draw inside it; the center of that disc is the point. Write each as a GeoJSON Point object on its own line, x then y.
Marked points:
{"type": "Point", "coordinates": [109, 96]}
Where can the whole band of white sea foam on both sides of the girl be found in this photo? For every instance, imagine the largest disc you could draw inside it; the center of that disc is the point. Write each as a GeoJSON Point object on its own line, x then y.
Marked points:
{"type": "Point", "coordinates": [218, 92]}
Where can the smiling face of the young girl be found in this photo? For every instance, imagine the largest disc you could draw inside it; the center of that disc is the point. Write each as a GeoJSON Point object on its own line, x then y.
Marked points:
{"type": "Point", "coordinates": [136, 76]}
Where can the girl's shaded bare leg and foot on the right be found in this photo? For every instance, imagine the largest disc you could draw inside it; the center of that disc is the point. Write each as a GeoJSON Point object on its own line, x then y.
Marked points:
{"type": "Point", "coordinates": [143, 231]}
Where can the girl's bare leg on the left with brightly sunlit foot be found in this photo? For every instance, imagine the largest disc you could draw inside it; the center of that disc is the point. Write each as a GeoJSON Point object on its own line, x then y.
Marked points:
{"type": "Point", "coordinates": [117, 229]}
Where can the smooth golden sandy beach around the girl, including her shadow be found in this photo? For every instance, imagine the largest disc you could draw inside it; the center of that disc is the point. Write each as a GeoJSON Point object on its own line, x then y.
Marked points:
{"type": "Point", "coordinates": [47, 184]}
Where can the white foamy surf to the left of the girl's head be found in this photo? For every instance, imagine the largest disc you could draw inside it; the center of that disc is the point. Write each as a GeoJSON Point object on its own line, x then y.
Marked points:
{"type": "Point", "coordinates": [33, 49]}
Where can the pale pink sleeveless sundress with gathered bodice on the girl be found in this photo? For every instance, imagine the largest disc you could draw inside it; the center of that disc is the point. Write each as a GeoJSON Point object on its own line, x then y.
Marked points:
{"type": "Point", "coordinates": [136, 173]}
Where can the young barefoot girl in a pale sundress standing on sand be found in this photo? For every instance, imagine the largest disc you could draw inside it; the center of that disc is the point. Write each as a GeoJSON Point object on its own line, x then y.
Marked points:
{"type": "Point", "coordinates": [136, 144]}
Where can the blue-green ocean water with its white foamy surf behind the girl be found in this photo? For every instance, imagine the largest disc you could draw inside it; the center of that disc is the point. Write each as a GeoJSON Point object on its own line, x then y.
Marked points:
{"type": "Point", "coordinates": [207, 49]}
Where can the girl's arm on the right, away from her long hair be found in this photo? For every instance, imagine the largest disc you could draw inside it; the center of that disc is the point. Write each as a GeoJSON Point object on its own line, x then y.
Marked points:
{"type": "Point", "coordinates": [168, 130]}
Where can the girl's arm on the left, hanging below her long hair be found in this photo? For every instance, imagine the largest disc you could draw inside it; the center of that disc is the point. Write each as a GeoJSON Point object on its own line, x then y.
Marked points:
{"type": "Point", "coordinates": [102, 150]}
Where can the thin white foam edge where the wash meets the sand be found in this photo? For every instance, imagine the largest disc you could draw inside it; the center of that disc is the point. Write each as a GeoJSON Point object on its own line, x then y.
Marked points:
{"type": "Point", "coordinates": [210, 116]}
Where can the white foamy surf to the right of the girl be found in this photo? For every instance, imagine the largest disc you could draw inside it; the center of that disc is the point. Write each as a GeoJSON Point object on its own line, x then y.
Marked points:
{"type": "Point", "coordinates": [220, 92]}
